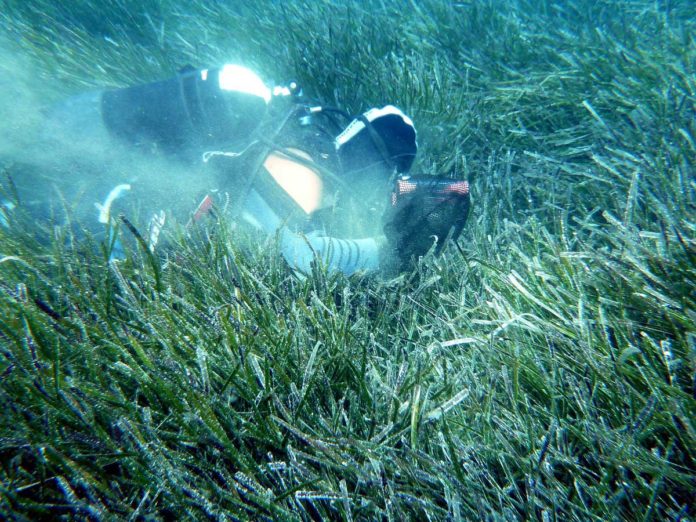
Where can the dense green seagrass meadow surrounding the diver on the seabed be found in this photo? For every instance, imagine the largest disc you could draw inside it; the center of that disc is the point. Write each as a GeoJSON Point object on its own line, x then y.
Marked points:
{"type": "Point", "coordinates": [543, 368]}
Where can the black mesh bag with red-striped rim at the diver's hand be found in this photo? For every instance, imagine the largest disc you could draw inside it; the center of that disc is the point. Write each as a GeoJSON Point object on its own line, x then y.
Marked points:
{"type": "Point", "coordinates": [424, 208]}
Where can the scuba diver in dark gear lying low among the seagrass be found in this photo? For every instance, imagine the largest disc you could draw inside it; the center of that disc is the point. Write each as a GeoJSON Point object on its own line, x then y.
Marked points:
{"type": "Point", "coordinates": [280, 163]}
